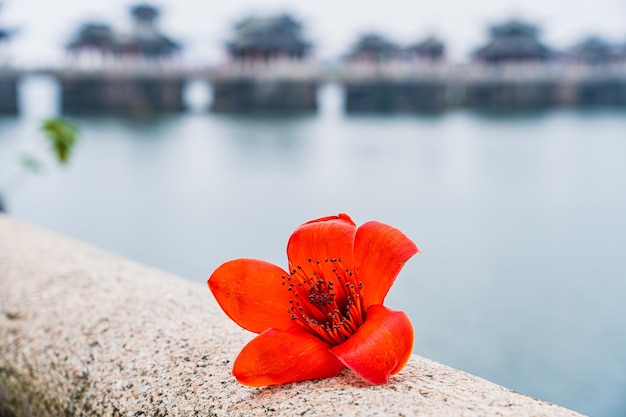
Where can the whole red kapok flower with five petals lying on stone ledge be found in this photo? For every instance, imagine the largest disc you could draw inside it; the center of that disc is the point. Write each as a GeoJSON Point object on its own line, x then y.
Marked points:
{"type": "Point", "coordinates": [327, 311]}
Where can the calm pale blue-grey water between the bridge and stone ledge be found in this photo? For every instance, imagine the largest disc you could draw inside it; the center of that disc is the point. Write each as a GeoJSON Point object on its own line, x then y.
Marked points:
{"type": "Point", "coordinates": [520, 218]}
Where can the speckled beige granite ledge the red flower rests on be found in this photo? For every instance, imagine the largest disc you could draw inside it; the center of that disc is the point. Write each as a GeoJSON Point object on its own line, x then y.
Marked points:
{"type": "Point", "coordinates": [83, 332]}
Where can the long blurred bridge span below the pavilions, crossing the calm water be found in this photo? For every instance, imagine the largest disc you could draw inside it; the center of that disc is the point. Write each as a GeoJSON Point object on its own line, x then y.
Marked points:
{"type": "Point", "coordinates": [403, 86]}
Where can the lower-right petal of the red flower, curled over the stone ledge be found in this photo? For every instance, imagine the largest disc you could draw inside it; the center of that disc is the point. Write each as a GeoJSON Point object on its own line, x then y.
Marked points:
{"type": "Point", "coordinates": [380, 347]}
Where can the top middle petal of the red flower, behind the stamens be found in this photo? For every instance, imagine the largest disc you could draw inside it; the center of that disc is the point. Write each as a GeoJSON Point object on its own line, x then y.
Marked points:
{"type": "Point", "coordinates": [325, 238]}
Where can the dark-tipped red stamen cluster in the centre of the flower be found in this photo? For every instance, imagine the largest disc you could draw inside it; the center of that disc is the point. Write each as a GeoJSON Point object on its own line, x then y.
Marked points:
{"type": "Point", "coordinates": [326, 299]}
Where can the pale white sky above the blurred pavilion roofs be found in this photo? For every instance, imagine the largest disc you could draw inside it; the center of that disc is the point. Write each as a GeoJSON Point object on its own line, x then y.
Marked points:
{"type": "Point", "coordinates": [333, 25]}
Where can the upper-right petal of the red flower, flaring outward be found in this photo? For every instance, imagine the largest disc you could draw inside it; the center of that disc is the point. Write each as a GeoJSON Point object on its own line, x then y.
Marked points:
{"type": "Point", "coordinates": [380, 252]}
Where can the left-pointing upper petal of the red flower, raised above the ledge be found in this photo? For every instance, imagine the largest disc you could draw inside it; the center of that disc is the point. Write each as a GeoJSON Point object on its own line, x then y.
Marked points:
{"type": "Point", "coordinates": [251, 293]}
